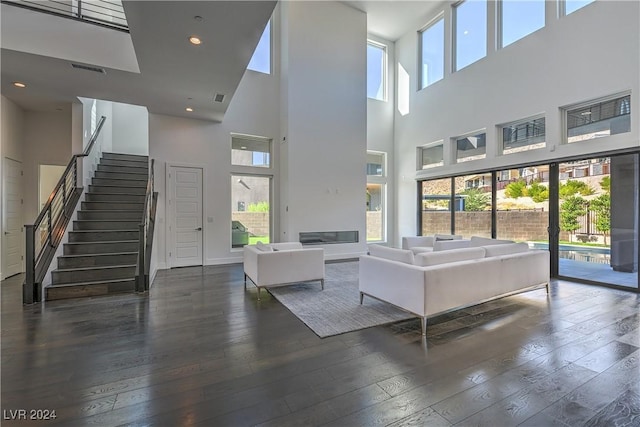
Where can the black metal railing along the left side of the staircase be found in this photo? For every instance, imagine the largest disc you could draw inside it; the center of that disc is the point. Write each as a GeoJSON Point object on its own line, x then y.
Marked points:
{"type": "Point", "coordinates": [45, 234]}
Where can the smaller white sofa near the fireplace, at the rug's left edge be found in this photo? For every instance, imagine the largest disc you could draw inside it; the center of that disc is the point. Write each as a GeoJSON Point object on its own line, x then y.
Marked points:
{"type": "Point", "coordinates": [279, 264]}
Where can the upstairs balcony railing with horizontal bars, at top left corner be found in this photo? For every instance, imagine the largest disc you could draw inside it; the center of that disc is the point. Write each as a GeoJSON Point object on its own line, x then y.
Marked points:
{"type": "Point", "coordinates": [106, 13]}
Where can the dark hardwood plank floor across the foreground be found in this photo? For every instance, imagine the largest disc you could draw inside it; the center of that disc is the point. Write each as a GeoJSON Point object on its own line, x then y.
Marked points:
{"type": "Point", "coordinates": [200, 351]}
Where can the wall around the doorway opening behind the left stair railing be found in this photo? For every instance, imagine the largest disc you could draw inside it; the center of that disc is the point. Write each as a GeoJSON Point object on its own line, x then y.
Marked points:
{"type": "Point", "coordinates": [47, 141]}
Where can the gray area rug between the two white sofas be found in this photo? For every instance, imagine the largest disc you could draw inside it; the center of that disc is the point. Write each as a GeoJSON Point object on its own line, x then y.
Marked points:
{"type": "Point", "coordinates": [336, 309]}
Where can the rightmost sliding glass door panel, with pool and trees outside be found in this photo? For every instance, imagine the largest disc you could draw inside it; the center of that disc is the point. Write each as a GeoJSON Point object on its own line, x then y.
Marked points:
{"type": "Point", "coordinates": [598, 220]}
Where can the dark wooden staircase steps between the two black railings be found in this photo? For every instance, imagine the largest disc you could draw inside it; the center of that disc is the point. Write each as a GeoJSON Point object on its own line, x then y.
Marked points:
{"type": "Point", "coordinates": [101, 254]}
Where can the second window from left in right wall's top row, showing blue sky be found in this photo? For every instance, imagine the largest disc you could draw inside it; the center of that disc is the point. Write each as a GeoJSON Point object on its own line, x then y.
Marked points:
{"type": "Point", "coordinates": [470, 20]}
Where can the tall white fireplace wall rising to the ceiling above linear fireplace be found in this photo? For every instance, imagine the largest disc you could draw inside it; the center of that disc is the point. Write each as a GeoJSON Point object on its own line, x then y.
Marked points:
{"type": "Point", "coordinates": [325, 128]}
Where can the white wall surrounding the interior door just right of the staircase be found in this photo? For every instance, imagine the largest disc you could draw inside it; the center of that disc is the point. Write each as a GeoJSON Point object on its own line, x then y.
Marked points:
{"type": "Point", "coordinates": [178, 141]}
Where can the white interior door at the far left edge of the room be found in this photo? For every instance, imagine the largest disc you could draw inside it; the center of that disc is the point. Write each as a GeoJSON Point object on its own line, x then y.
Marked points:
{"type": "Point", "coordinates": [12, 218]}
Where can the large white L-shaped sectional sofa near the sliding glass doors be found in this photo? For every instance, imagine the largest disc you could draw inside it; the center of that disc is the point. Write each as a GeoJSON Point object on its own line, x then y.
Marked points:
{"type": "Point", "coordinates": [432, 283]}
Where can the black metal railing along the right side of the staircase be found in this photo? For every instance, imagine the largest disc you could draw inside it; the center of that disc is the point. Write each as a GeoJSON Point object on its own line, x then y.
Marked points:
{"type": "Point", "coordinates": [146, 227]}
